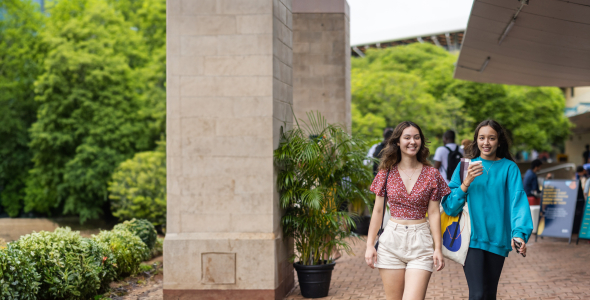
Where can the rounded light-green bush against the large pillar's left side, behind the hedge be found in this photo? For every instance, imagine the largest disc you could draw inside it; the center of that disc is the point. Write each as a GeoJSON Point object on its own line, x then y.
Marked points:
{"type": "Point", "coordinates": [138, 188]}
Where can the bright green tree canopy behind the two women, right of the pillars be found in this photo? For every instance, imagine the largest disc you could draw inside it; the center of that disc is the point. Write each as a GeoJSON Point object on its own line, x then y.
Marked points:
{"type": "Point", "coordinates": [415, 82]}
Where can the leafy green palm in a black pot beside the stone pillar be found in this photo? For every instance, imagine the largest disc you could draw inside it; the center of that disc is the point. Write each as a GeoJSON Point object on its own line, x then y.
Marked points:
{"type": "Point", "coordinates": [320, 169]}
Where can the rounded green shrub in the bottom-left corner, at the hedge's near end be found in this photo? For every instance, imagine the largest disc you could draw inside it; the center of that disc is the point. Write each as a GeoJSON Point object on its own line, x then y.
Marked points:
{"type": "Point", "coordinates": [18, 277]}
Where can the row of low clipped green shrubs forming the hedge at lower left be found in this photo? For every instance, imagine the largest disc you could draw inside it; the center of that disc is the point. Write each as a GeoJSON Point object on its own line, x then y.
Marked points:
{"type": "Point", "coordinates": [64, 265]}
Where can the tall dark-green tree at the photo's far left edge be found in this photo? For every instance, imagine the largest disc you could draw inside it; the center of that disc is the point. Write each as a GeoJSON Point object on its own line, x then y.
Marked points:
{"type": "Point", "coordinates": [21, 56]}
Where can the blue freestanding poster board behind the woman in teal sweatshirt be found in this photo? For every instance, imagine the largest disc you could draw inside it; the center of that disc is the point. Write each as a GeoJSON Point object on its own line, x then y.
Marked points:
{"type": "Point", "coordinates": [558, 208]}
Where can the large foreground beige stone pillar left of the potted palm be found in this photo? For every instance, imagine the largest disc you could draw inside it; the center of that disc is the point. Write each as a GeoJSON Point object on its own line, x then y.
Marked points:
{"type": "Point", "coordinates": [229, 90]}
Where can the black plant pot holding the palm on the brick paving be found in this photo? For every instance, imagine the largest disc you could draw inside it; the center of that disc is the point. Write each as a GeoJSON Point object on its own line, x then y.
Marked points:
{"type": "Point", "coordinates": [314, 281]}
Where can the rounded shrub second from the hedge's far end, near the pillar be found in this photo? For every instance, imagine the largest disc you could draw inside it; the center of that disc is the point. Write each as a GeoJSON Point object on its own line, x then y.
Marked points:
{"type": "Point", "coordinates": [128, 249]}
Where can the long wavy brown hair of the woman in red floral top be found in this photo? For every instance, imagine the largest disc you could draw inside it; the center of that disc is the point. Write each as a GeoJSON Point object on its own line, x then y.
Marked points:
{"type": "Point", "coordinates": [392, 154]}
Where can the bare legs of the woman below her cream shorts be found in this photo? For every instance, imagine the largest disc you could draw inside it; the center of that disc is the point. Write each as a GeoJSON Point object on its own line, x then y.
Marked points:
{"type": "Point", "coordinates": [401, 284]}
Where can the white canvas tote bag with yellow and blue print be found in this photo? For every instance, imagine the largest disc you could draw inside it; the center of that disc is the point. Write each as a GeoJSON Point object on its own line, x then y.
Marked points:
{"type": "Point", "coordinates": [456, 231]}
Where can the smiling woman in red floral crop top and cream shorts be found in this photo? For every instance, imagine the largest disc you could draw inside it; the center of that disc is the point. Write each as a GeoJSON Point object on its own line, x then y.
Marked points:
{"type": "Point", "coordinates": [410, 245]}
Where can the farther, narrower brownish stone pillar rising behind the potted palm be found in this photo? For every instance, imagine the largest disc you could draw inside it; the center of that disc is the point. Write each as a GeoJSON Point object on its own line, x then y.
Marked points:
{"type": "Point", "coordinates": [321, 59]}
